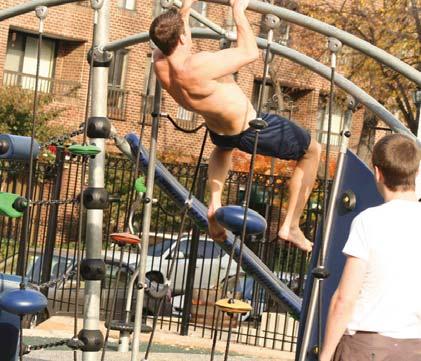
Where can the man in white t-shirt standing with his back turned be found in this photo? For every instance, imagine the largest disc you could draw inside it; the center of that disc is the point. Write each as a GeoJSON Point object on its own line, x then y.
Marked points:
{"type": "Point", "coordinates": [375, 313]}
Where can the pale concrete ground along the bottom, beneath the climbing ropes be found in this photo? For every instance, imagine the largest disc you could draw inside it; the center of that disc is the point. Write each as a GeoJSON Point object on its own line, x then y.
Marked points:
{"type": "Point", "coordinates": [168, 345]}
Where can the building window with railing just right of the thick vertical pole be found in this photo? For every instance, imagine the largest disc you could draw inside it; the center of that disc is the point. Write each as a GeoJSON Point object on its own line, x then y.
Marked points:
{"type": "Point", "coordinates": [117, 95]}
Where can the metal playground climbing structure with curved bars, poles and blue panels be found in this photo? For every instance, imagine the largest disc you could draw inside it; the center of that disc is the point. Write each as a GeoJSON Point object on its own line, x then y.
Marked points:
{"type": "Point", "coordinates": [346, 192]}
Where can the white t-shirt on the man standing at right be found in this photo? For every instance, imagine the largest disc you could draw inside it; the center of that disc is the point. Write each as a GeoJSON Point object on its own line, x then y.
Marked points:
{"type": "Point", "coordinates": [388, 237]}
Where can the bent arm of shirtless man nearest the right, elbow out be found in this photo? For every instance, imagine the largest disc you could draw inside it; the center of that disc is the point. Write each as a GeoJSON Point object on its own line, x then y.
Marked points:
{"type": "Point", "coordinates": [228, 61]}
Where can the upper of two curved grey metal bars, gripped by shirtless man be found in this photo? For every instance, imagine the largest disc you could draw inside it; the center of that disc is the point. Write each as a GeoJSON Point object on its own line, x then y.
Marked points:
{"type": "Point", "coordinates": [363, 46]}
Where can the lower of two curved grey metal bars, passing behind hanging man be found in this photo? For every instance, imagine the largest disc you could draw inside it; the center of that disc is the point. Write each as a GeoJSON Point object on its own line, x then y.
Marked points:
{"type": "Point", "coordinates": [299, 58]}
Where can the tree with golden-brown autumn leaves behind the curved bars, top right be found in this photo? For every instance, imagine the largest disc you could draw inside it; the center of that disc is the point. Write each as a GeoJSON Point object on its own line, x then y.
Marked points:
{"type": "Point", "coordinates": [392, 25]}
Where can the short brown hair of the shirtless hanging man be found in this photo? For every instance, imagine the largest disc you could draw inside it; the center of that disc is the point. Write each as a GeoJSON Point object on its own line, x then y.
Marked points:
{"type": "Point", "coordinates": [166, 30]}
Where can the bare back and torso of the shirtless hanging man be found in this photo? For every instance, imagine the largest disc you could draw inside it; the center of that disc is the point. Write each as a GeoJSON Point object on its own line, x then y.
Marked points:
{"type": "Point", "coordinates": [221, 102]}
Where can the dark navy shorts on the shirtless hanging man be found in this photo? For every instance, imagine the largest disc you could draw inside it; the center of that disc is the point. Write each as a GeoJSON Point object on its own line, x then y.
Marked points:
{"type": "Point", "coordinates": [281, 139]}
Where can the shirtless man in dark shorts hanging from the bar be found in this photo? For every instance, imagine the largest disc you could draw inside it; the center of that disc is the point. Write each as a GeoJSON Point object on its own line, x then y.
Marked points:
{"type": "Point", "coordinates": [203, 82]}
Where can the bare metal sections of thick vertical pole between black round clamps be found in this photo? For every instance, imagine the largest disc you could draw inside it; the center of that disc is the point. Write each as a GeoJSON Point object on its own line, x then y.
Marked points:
{"type": "Point", "coordinates": [94, 221]}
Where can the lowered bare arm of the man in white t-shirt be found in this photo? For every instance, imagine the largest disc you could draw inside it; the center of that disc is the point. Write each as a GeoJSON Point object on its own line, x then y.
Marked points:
{"type": "Point", "coordinates": [342, 305]}
